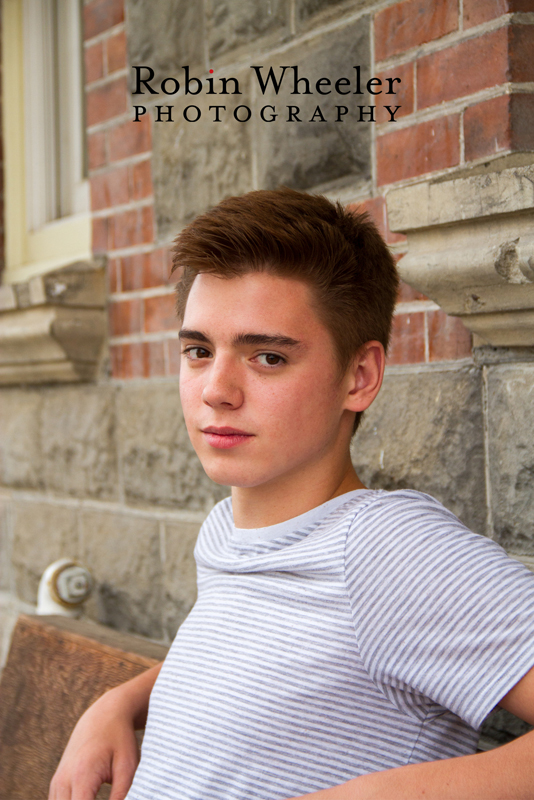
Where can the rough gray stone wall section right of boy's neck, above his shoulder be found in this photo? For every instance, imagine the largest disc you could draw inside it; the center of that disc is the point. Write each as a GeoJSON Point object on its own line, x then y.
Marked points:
{"type": "Point", "coordinates": [463, 432]}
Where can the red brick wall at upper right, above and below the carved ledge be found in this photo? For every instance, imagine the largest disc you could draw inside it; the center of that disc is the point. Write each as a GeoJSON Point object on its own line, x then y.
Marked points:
{"type": "Point", "coordinates": [467, 72]}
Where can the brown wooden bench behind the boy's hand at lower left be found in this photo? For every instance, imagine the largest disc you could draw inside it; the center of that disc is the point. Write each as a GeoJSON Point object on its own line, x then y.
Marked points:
{"type": "Point", "coordinates": [55, 669]}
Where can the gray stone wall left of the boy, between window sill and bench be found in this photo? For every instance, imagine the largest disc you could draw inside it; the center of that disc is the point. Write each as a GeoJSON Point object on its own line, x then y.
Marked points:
{"type": "Point", "coordinates": [105, 474]}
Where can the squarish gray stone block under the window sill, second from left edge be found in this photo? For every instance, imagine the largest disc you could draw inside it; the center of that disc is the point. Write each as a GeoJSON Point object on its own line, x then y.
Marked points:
{"type": "Point", "coordinates": [78, 441]}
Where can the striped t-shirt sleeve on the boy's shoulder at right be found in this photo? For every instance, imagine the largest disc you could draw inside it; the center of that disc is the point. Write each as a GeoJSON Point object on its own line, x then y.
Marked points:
{"type": "Point", "coordinates": [439, 611]}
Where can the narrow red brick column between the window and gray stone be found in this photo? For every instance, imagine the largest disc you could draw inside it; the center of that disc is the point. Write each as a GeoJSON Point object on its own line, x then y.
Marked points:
{"type": "Point", "coordinates": [142, 321]}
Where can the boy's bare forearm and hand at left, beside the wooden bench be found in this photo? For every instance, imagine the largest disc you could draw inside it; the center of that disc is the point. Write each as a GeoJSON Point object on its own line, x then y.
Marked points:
{"type": "Point", "coordinates": [102, 747]}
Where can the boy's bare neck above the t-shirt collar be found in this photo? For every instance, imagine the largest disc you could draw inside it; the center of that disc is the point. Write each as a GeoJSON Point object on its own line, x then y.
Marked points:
{"type": "Point", "coordinates": [290, 496]}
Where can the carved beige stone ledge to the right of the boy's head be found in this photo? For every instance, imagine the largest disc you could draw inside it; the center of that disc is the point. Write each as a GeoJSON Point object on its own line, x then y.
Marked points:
{"type": "Point", "coordinates": [471, 248]}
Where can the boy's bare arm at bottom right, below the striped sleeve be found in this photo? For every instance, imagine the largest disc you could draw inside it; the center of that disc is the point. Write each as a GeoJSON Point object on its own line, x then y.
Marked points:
{"type": "Point", "coordinates": [506, 773]}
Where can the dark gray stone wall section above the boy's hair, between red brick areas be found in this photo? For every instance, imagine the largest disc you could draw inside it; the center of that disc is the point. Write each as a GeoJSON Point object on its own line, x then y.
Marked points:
{"type": "Point", "coordinates": [197, 164]}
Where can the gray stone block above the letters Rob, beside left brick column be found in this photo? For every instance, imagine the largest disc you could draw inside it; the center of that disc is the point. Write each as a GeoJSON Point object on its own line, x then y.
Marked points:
{"type": "Point", "coordinates": [165, 35]}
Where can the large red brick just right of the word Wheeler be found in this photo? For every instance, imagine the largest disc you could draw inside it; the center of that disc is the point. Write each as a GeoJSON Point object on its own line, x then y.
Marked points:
{"type": "Point", "coordinates": [463, 69]}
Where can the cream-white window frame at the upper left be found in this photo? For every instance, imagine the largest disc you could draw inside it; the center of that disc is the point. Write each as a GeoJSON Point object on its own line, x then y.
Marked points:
{"type": "Point", "coordinates": [47, 218]}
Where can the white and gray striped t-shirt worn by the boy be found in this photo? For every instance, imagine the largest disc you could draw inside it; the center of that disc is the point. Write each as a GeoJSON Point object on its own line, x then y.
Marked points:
{"type": "Point", "coordinates": [372, 632]}
